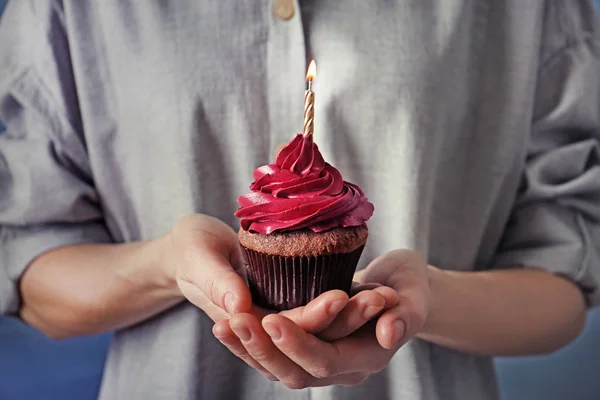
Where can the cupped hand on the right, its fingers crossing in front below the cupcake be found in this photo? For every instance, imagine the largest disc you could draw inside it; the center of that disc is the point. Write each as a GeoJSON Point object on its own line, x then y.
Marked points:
{"type": "Point", "coordinates": [349, 348]}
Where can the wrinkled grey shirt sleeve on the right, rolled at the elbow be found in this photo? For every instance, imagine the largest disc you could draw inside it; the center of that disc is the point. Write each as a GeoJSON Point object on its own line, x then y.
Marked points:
{"type": "Point", "coordinates": [555, 223]}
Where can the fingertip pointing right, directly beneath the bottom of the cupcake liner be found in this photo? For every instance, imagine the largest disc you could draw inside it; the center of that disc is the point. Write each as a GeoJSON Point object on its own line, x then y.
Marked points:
{"type": "Point", "coordinates": [320, 312]}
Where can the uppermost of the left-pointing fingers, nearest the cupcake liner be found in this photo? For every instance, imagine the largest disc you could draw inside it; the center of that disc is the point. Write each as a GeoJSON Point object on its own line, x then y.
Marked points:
{"type": "Point", "coordinates": [326, 360]}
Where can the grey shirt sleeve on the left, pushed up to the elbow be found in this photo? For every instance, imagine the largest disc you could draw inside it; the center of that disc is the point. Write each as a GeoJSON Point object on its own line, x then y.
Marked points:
{"type": "Point", "coordinates": [47, 195]}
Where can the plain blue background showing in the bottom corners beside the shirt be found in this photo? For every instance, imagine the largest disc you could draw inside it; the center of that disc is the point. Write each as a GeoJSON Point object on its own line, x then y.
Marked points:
{"type": "Point", "coordinates": [35, 368]}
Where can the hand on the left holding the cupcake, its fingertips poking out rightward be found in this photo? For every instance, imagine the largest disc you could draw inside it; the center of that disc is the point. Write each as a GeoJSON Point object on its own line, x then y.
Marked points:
{"type": "Point", "coordinates": [204, 258]}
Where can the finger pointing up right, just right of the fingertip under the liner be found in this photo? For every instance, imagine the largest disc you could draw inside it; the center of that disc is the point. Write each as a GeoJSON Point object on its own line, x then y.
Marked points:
{"type": "Point", "coordinates": [359, 310]}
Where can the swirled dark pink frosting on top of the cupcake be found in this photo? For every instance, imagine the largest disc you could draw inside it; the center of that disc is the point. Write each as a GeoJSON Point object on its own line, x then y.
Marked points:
{"type": "Point", "coordinates": [301, 191]}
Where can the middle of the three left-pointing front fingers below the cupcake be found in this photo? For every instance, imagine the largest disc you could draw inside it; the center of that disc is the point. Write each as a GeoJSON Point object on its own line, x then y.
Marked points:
{"type": "Point", "coordinates": [260, 347]}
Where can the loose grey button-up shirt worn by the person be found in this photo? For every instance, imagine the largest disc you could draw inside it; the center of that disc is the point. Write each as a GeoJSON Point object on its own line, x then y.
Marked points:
{"type": "Point", "coordinates": [472, 126]}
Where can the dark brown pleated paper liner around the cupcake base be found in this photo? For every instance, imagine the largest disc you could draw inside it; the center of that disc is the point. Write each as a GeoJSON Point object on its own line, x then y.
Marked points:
{"type": "Point", "coordinates": [283, 283]}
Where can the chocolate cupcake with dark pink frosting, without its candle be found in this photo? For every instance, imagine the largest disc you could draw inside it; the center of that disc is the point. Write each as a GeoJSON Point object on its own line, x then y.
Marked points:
{"type": "Point", "coordinates": [303, 228]}
